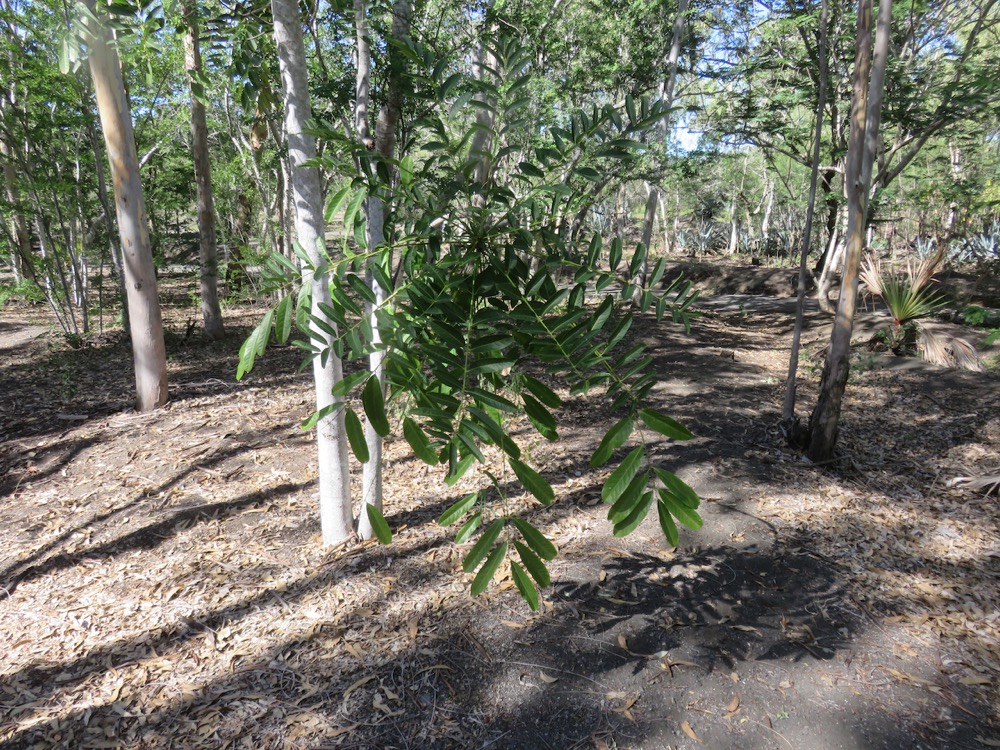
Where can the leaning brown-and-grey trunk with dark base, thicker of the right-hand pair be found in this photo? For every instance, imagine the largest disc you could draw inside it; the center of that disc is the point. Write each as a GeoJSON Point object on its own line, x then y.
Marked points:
{"type": "Point", "coordinates": [866, 111]}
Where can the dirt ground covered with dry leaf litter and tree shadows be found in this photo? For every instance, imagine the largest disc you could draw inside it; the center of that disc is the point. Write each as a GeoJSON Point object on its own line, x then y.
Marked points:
{"type": "Point", "coordinates": [163, 585]}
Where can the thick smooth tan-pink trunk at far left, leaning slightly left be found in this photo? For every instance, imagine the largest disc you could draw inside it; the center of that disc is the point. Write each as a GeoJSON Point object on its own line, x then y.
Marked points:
{"type": "Point", "coordinates": [146, 325]}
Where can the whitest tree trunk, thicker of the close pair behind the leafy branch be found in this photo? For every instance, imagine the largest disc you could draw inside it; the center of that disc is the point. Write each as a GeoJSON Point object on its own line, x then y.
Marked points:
{"type": "Point", "coordinates": [331, 437]}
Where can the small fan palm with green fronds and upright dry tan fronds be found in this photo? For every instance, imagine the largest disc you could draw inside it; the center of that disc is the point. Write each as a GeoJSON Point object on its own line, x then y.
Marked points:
{"type": "Point", "coordinates": [907, 295]}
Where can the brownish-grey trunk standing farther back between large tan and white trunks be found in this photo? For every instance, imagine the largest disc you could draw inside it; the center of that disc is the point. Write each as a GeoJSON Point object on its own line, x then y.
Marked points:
{"type": "Point", "coordinates": [208, 253]}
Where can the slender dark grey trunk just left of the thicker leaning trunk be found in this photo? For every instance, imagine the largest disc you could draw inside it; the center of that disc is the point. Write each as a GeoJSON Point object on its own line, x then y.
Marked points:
{"type": "Point", "coordinates": [788, 409]}
